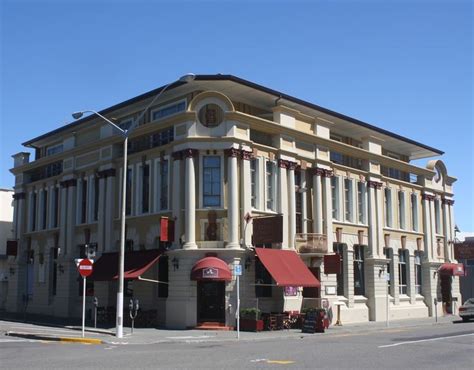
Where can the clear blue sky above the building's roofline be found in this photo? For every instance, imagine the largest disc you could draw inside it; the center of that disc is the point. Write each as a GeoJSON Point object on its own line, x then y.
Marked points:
{"type": "Point", "coordinates": [405, 66]}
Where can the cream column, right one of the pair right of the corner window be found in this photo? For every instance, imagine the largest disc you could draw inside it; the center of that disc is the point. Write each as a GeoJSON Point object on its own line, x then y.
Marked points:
{"type": "Point", "coordinates": [246, 197]}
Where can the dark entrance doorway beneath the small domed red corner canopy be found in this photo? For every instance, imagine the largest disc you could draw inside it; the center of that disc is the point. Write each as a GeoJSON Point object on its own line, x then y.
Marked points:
{"type": "Point", "coordinates": [211, 301]}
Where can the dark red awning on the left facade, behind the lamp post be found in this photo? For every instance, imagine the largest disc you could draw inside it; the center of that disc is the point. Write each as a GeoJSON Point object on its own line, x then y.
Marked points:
{"type": "Point", "coordinates": [135, 264]}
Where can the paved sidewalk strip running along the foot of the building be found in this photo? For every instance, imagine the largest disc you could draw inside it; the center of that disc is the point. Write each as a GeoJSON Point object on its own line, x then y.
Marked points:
{"type": "Point", "coordinates": [142, 336]}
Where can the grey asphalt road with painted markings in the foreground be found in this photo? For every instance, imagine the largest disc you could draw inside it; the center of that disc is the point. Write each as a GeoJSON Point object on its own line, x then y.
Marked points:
{"type": "Point", "coordinates": [448, 346]}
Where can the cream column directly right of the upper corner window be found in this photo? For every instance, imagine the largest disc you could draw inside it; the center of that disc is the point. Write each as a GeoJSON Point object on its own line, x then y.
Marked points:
{"type": "Point", "coordinates": [233, 198]}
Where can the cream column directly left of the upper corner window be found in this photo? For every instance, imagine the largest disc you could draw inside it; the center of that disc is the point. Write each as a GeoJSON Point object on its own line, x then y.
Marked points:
{"type": "Point", "coordinates": [190, 199]}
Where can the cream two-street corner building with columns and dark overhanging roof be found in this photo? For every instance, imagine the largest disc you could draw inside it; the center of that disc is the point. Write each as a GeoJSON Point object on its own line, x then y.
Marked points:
{"type": "Point", "coordinates": [219, 167]}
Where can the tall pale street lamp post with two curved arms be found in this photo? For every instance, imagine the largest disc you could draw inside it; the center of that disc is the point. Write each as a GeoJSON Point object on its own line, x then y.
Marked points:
{"type": "Point", "coordinates": [126, 133]}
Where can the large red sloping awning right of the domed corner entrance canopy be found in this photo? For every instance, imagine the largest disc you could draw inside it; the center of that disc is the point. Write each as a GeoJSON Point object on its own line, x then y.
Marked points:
{"type": "Point", "coordinates": [287, 268]}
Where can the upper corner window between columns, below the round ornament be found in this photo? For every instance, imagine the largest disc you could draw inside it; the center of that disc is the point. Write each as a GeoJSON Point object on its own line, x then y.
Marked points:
{"type": "Point", "coordinates": [211, 181]}
